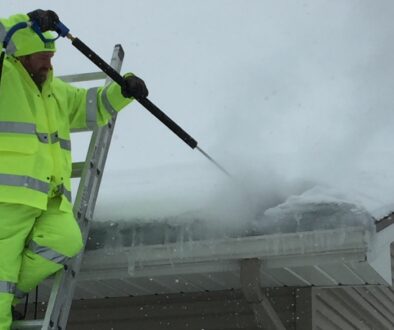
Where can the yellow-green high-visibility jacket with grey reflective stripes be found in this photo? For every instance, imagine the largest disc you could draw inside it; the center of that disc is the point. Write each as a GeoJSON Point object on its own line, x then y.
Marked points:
{"type": "Point", "coordinates": [35, 148]}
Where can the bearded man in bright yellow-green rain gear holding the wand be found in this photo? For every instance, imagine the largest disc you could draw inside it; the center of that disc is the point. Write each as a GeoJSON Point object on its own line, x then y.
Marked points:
{"type": "Point", "coordinates": [38, 233]}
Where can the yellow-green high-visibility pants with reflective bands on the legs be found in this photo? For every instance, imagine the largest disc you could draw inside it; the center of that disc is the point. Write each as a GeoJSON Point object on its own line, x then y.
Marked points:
{"type": "Point", "coordinates": [33, 245]}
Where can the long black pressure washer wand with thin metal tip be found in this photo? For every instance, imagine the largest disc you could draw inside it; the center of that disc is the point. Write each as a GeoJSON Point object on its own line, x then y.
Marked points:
{"type": "Point", "coordinates": [146, 103]}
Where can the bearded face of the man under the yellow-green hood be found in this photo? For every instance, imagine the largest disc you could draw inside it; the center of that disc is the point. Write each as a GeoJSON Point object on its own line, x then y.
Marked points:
{"type": "Point", "coordinates": [38, 65]}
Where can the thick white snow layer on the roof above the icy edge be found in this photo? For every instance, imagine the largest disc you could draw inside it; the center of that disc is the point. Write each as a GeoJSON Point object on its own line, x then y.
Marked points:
{"type": "Point", "coordinates": [184, 194]}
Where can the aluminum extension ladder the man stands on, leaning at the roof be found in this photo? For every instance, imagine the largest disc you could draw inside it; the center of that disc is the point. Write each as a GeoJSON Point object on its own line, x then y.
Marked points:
{"type": "Point", "coordinates": [90, 172]}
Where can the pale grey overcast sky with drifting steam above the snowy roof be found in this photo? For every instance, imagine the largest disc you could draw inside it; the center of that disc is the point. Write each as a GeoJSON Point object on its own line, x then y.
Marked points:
{"type": "Point", "coordinates": [279, 92]}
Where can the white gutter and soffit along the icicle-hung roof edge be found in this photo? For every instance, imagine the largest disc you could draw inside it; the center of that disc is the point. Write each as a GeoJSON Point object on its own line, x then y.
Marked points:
{"type": "Point", "coordinates": [349, 256]}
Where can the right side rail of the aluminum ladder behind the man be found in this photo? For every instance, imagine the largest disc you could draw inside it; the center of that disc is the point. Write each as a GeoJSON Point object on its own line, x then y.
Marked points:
{"type": "Point", "coordinates": [83, 210]}
